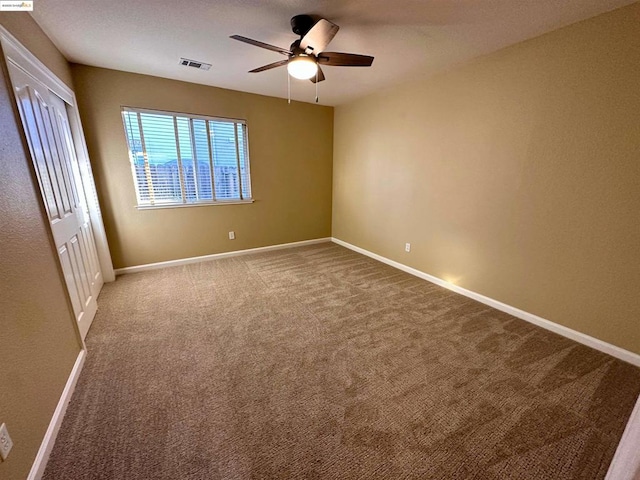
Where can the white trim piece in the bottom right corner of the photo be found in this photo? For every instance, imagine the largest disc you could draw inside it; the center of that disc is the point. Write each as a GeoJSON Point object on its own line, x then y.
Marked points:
{"type": "Point", "coordinates": [626, 462]}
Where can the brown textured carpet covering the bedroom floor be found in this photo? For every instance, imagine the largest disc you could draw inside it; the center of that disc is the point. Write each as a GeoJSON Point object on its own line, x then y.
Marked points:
{"type": "Point", "coordinates": [320, 363]}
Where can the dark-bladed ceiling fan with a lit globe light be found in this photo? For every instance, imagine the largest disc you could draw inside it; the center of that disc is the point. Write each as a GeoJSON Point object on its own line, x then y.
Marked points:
{"type": "Point", "coordinates": [306, 55]}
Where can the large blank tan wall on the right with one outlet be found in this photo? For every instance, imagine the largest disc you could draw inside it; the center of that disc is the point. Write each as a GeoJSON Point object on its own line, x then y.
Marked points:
{"type": "Point", "coordinates": [516, 176]}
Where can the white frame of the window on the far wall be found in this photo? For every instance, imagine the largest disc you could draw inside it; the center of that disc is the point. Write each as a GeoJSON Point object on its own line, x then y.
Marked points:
{"type": "Point", "coordinates": [185, 202]}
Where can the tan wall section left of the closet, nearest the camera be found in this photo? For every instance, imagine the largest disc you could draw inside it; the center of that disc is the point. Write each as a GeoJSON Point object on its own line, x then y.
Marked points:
{"type": "Point", "coordinates": [38, 341]}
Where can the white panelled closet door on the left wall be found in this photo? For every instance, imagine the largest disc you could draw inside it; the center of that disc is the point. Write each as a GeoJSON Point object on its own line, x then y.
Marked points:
{"type": "Point", "coordinates": [46, 125]}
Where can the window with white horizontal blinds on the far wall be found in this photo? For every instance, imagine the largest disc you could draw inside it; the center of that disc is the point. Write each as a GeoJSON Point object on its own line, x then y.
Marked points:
{"type": "Point", "coordinates": [181, 159]}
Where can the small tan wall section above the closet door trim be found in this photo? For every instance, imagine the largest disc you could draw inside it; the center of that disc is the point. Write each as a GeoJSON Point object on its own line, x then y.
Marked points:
{"type": "Point", "coordinates": [29, 33]}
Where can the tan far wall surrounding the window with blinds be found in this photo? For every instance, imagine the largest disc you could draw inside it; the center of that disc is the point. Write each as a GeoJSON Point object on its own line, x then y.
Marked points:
{"type": "Point", "coordinates": [290, 149]}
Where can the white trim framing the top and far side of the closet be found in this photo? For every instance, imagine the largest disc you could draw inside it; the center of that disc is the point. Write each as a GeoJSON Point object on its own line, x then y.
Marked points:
{"type": "Point", "coordinates": [16, 54]}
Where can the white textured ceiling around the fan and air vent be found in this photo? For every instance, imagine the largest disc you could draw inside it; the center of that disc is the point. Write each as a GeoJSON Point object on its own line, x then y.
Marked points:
{"type": "Point", "coordinates": [408, 38]}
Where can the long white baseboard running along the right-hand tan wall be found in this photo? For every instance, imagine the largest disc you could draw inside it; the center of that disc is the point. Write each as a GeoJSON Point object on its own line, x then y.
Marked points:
{"type": "Point", "coordinates": [592, 342]}
